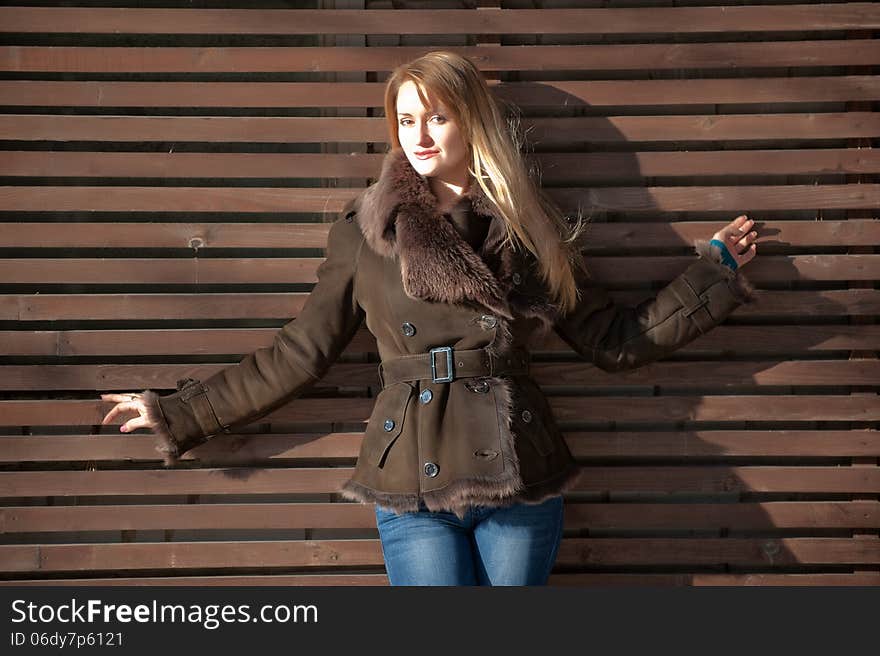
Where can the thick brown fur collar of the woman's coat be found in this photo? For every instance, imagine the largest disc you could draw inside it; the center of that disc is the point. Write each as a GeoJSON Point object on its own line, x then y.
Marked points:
{"type": "Point", "coordinates": [399, 218]}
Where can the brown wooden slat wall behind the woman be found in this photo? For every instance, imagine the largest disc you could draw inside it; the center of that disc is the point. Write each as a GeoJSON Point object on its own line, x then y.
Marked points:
{"type": "Point", "coordinates": [167, 177]}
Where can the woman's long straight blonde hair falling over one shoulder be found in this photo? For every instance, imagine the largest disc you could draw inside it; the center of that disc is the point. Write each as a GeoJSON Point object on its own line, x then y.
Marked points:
{"type": "Point", "coordinates": [497, 165]}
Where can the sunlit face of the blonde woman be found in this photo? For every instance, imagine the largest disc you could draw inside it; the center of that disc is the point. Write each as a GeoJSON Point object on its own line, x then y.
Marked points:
{"type": "Point", "coordinates": [433, 131]}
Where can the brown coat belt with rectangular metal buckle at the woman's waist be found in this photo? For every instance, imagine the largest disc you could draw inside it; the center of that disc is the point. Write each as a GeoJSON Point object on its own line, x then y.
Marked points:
{"type": "Point", "coordinates": [444, 364]}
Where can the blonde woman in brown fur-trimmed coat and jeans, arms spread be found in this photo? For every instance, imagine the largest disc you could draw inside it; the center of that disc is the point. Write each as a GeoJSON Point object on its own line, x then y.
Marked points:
{"type": "Point", "coordinates": [458, 264]}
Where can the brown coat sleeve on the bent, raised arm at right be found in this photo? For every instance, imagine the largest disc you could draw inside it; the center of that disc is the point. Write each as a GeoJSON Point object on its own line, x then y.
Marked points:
{"type": "Point", "coordinates": [616, 337]}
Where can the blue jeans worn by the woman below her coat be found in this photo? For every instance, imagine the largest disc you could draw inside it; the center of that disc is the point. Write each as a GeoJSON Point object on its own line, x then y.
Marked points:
{"type": "Point", "coordinates": [516, 545]}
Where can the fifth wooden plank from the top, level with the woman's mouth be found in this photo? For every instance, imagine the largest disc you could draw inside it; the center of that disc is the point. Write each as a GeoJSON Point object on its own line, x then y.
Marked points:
{"type": "Point", "coordinates": [557, 168]}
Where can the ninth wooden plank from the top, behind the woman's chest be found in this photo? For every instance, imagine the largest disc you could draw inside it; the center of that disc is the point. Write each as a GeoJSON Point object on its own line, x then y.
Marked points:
{"type": "Point", "coordinates": [284, 306]}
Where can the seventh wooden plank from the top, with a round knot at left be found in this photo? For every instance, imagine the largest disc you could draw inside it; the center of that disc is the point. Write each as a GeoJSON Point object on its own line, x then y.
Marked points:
{"type": "Point", "coordinates": [203, 236]}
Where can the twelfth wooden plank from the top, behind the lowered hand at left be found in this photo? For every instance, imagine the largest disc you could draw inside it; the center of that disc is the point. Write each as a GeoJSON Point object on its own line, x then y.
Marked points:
{"type": "Point", "coordinates": [673, 408]}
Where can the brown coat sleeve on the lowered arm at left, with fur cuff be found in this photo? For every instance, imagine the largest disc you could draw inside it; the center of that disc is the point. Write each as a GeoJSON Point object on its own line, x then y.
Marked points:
{"type": "Point", "coordinates": [266, 379]}
